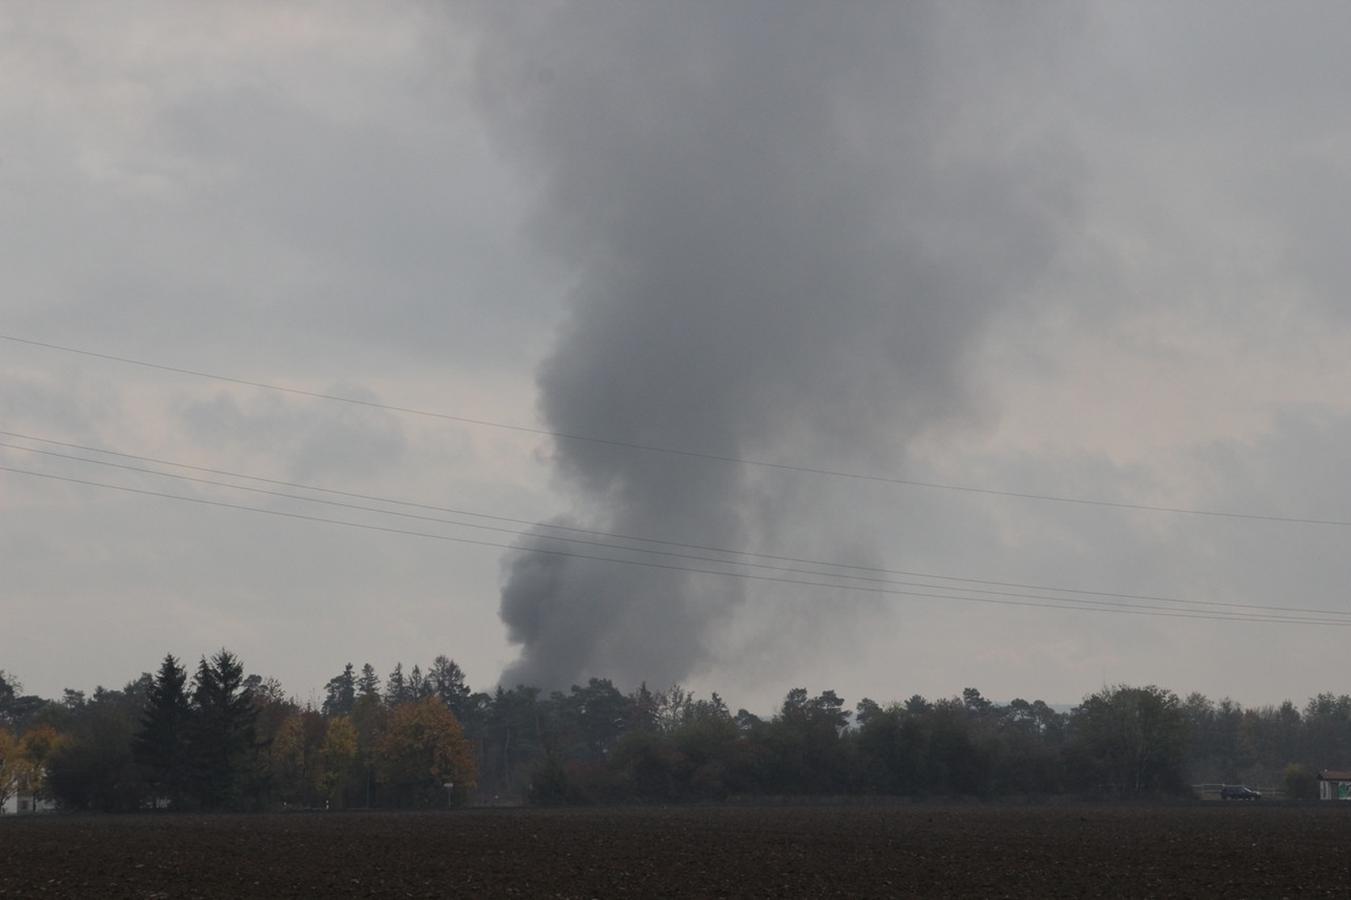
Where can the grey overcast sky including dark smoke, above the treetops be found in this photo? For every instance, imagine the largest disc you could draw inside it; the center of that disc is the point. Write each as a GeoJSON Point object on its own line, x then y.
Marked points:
{"type": "Point", "coordinates": [1092, 251]}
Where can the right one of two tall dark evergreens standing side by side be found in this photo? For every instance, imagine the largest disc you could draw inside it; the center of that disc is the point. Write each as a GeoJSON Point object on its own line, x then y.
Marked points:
{"type": "Point", "coordinates": [224, 733]}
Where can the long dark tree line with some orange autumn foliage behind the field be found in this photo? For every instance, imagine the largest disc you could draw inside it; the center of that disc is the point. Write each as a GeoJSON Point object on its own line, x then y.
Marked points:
{"type": "Point", "coordinates": [221, 740]}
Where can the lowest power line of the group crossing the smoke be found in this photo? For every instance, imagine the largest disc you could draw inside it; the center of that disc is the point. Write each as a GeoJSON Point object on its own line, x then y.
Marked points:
{"type": "Point", "coordinates": [1061, 603]}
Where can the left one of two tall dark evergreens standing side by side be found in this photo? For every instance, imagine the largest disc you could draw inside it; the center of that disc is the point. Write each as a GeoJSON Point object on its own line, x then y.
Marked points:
{"type": "Point", "coordinates": [161, 747]}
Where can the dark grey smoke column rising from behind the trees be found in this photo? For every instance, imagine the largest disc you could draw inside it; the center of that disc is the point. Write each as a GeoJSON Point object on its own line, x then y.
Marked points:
{"type": "Point", "coordinates": [788, 222]}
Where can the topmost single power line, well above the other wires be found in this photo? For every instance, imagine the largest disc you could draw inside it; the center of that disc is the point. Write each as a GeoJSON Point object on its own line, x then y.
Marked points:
{"type": "Point", "coordinates": [679, 452]}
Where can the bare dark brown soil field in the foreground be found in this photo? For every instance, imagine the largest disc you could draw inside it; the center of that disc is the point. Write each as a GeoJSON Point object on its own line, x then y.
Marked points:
{"type": "Point", "coordinates": [1192, 851]}
